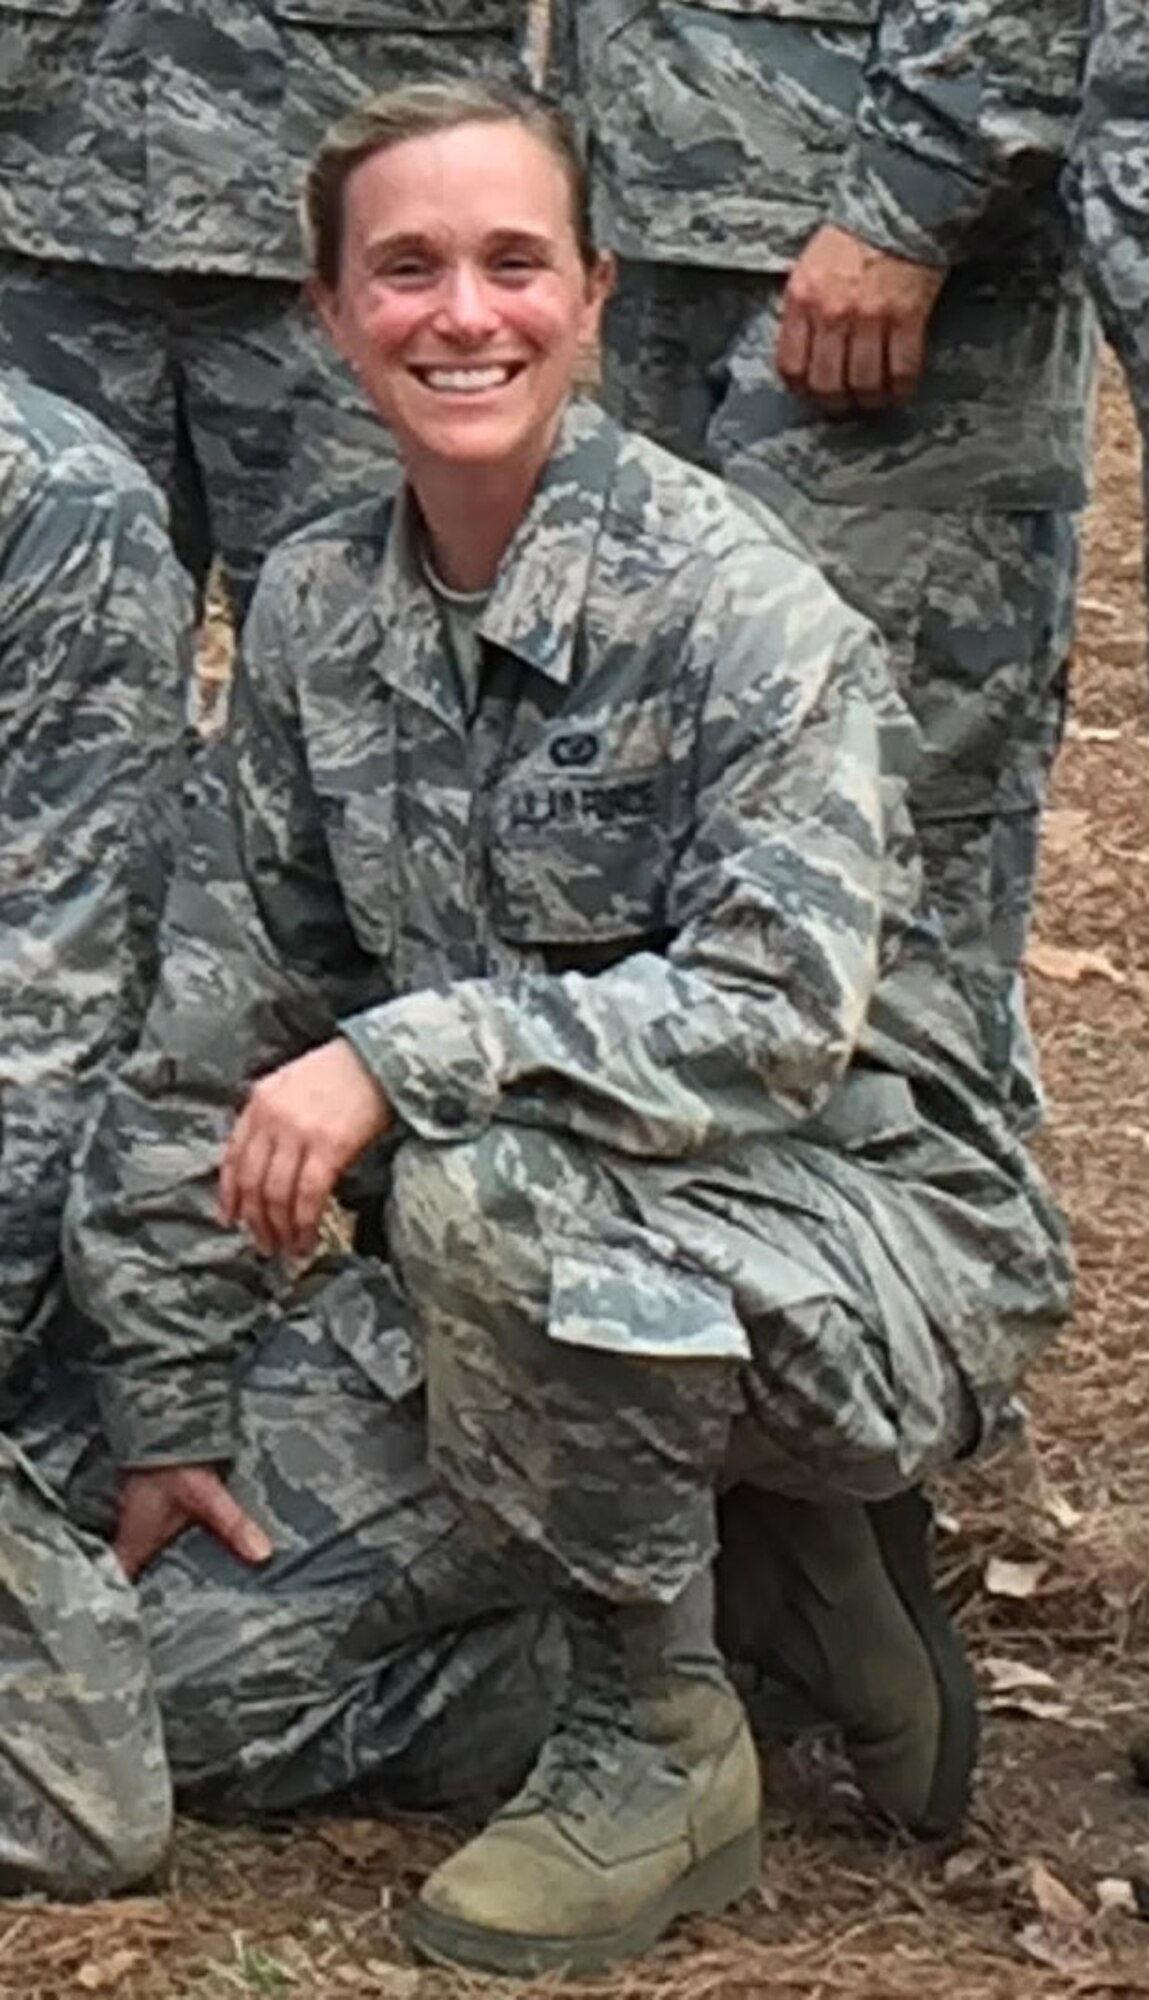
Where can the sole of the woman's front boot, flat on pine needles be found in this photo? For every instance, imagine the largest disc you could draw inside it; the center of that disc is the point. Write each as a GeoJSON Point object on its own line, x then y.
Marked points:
{"type": "Point", "coordinates": [710, 1889]}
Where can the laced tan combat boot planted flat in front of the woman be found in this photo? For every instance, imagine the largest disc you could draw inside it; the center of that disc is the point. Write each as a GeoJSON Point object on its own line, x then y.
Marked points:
{"type": "Point", "coordinates": [644, 1807]}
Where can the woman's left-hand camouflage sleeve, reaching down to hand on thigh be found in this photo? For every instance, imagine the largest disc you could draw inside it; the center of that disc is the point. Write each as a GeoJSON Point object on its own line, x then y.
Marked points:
{"type": "Point", "coordinates": [257, 963]}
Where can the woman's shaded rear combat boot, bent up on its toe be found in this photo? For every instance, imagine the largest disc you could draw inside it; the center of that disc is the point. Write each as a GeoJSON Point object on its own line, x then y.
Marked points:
{"type": "Point", "coordinates": [838, 1603]}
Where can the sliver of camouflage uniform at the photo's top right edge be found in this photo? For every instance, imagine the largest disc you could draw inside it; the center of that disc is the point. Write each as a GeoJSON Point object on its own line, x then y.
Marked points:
{"type": "Point", "coordinates": [1112, 187]}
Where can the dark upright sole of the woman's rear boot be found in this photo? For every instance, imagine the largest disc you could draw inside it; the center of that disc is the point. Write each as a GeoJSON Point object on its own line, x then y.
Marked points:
{"type": "Point", "coordinates": [900, 1531]}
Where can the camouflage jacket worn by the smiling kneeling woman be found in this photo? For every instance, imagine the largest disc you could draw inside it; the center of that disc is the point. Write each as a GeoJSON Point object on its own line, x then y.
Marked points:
{"type": "Point", "coordinates": [656, 893]}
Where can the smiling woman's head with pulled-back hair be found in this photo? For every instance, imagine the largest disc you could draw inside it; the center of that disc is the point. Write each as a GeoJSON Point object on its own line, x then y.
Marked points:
{"type": "Point", "coordinates": [461, 301]}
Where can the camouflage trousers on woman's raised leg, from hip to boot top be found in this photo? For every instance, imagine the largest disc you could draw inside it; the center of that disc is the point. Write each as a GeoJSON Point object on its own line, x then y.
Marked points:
{"type": "Point", "coordinates": [596, 1377]}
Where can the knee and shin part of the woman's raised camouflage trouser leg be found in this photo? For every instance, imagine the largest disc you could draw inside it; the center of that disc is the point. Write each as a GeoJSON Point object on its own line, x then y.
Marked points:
{"type": "Point", "coordinates": [545, 1411]}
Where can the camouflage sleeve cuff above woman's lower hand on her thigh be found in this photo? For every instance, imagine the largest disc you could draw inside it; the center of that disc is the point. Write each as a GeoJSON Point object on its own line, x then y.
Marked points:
{"type": "Point", "coordinates": [187, 1423]}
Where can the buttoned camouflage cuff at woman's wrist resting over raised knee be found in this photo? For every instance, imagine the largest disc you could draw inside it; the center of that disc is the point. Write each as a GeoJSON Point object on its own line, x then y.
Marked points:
{"type": "Point", "coordinates": [439, 1061]}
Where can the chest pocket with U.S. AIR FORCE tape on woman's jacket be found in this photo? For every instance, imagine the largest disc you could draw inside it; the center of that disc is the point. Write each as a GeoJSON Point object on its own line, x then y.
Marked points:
{"type": "Point", "coordinates": [582, 865]}
